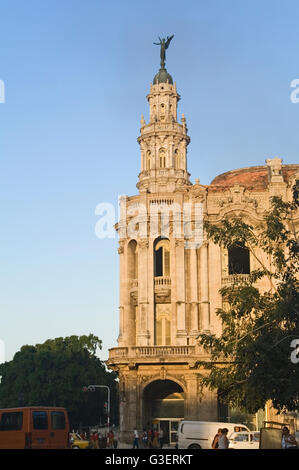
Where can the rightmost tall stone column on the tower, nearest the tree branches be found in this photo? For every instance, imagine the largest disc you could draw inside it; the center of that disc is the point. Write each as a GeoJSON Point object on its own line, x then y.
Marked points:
{"type": "Point", "coordinates": [204, 285]}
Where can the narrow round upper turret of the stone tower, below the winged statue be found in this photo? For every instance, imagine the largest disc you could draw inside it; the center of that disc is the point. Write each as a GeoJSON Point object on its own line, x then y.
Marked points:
{"type": "Point", "coordinates": [163, 141]}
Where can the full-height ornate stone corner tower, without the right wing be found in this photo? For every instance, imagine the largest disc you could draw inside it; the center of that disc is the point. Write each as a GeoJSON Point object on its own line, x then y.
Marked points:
{"type": "Point", "coordinates": [164, 302]}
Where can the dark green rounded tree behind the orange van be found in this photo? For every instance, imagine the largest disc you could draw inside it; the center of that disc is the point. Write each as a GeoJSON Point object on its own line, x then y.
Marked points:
{"type": "Point", "coordinates": [54, 374]}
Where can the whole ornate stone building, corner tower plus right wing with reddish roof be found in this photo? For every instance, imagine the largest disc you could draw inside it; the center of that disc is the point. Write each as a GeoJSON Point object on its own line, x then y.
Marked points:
{"type": "Point", "coordinates": [169, 288]}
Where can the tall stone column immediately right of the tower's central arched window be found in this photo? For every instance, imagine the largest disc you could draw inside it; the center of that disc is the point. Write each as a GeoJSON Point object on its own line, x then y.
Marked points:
{"type": "Point", "coordinates": [180, 292]}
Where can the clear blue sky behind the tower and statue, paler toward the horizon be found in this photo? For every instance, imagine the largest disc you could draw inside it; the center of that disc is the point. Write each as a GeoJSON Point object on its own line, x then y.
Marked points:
{"type": "Point", "coordinates": [76, 77]}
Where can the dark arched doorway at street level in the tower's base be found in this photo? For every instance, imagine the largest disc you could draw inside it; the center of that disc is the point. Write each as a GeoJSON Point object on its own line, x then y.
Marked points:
{"type": "Point", "coordinates": [163, 407]}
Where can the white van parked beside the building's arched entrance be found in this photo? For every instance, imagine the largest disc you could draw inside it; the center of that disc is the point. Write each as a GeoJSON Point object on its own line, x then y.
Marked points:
{"type": "Point", "coordinates": [200, 434]}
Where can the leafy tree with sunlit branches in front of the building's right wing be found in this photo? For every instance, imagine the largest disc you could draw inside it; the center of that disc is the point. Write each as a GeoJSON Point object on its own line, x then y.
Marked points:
{"type": "Point", "coordinates": [250, 360]}
